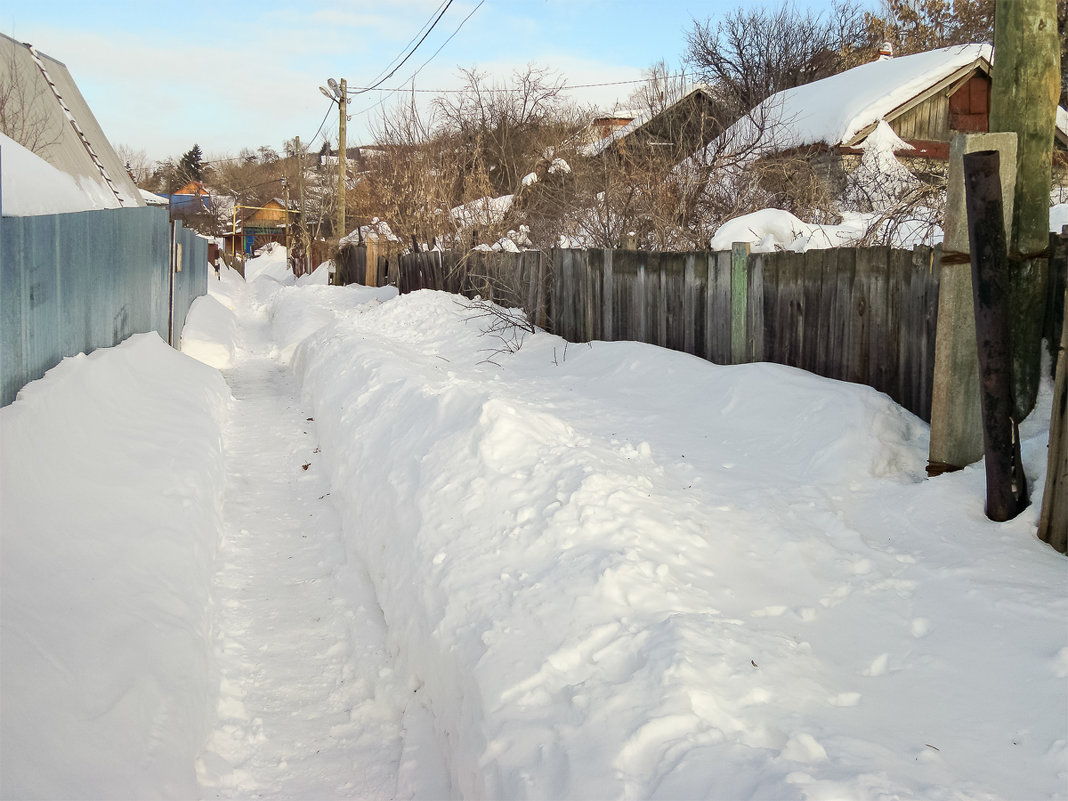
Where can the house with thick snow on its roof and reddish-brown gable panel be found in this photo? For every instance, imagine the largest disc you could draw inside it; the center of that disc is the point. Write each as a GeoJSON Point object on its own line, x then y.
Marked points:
{"type": "Point", "coordinates": [925, 100]}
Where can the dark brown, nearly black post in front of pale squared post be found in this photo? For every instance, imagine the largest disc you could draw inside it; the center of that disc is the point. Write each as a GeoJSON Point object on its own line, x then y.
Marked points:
{"type": "Point", "coordinates": [1007, 483]}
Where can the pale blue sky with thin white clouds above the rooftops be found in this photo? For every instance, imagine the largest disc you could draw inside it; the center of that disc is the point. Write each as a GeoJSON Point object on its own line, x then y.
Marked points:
{"type": "Point", "coordinates": [232, 74]}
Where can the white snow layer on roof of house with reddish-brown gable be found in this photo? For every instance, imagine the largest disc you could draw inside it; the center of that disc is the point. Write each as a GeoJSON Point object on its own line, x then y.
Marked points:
{"type": "Point", "coordinates": [839, 109]}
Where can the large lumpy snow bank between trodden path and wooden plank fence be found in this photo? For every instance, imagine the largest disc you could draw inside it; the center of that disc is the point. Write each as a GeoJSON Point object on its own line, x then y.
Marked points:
{"type": "Point", "coordinates": [614, 571]}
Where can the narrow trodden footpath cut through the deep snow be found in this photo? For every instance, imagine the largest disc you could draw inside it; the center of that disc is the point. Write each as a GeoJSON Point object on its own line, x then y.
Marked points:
{"type": "Point", "coordinates": [300, 636]}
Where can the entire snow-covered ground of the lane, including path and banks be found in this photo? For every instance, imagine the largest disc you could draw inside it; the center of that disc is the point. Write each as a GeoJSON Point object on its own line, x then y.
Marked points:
{"type": "Point", "coordinates": [396, 557]}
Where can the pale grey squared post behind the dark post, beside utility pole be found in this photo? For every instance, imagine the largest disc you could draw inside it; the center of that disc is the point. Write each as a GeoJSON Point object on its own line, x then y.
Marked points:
{"type": "Point", "coordinates": [956, 433]}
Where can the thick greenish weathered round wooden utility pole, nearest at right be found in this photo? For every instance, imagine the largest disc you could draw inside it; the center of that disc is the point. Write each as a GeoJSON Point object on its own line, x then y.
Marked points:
{"type": "Point", "coordinates": [1024, 100]}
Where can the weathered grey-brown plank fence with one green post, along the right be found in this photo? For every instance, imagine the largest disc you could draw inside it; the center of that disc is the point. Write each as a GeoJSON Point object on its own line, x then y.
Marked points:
{"type": "Point", "coordinates": [866, 316]}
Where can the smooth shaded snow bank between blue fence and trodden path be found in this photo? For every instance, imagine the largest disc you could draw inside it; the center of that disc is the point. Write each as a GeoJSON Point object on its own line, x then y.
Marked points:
{"type": "Point", "coordinates": [112, 482]}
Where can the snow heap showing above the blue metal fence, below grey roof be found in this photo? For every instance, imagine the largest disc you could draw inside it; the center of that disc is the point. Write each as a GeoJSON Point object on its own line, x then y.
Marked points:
{"type": "Point", "coordinates": [32, 186]}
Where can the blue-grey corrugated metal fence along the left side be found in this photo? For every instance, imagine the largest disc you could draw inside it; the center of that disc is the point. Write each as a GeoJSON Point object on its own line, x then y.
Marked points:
{"type": "Point", "coordinates": [74, 282]}
